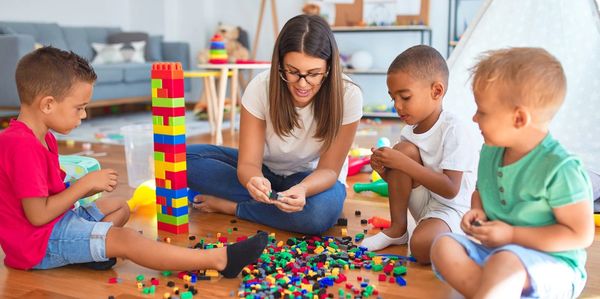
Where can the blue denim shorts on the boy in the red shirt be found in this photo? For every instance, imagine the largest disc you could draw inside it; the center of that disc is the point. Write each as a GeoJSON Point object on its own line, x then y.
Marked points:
{"type": "Point", "coordinates": [79, 237]}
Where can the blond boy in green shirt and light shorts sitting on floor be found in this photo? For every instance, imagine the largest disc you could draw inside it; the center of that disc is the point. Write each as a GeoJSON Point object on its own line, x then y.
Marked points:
{"type": "Point", "coordinates": [531, 215]}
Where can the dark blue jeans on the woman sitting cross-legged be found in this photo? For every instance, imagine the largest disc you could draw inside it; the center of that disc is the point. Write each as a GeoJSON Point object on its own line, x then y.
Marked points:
{"type": "Point", "coordinates": [212, 170]}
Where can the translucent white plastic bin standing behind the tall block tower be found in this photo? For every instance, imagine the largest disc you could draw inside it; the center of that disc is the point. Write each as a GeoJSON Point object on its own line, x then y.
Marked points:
{"type": "Point", "coordinates": [139, 153]}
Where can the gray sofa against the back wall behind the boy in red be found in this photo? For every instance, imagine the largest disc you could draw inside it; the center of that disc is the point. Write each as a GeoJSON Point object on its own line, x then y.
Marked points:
{"type": "Point", "coordinates": [117, 83]}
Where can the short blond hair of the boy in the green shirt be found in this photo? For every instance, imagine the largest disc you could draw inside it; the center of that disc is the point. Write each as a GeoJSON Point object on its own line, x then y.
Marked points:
{"type": "Point", "coordinates": [529, 77]}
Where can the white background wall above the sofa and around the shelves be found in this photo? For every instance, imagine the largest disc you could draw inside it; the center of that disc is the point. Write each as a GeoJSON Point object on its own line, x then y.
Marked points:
{"type": "Point", "coordinates": [194, 21]}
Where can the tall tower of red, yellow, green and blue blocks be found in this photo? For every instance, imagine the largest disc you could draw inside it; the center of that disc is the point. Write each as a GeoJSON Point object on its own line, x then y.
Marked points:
{"type": "Point", "coordinates": [168, 119]}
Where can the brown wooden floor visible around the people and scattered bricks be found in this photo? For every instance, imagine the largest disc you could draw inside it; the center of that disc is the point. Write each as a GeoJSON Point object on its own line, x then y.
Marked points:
{"type": "Point", "coordinates": [76, 282]}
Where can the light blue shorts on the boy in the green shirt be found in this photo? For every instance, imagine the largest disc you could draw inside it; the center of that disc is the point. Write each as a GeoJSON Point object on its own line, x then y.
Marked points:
{"type": "Point", "coordinates": [549, 276]}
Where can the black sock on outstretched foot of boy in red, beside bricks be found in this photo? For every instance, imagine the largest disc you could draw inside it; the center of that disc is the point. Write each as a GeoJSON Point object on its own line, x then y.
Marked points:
{"type": "Point", "coordinates": [243, 253]}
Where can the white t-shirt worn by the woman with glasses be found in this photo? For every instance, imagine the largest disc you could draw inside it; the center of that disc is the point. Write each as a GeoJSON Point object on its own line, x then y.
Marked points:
{"type": "Point", "coordinates": [300, 151]}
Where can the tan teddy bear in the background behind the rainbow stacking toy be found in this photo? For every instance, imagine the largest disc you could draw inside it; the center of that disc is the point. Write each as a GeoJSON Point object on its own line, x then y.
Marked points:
{"type": "Point", "coordinates": [236, 44]}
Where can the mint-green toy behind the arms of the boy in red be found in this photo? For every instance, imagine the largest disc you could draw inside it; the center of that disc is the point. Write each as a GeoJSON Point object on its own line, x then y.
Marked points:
{"type": "Point", "coordinates": [75, 168]}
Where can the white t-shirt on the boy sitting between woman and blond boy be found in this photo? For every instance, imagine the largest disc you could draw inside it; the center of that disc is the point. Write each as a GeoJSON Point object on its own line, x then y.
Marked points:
{"type": "Point", "coordinates": [450, 144]}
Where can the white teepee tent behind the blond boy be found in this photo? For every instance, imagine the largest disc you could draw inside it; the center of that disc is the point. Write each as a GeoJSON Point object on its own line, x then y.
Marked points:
{"type": "Point", "coordinates": [570, 30]}
